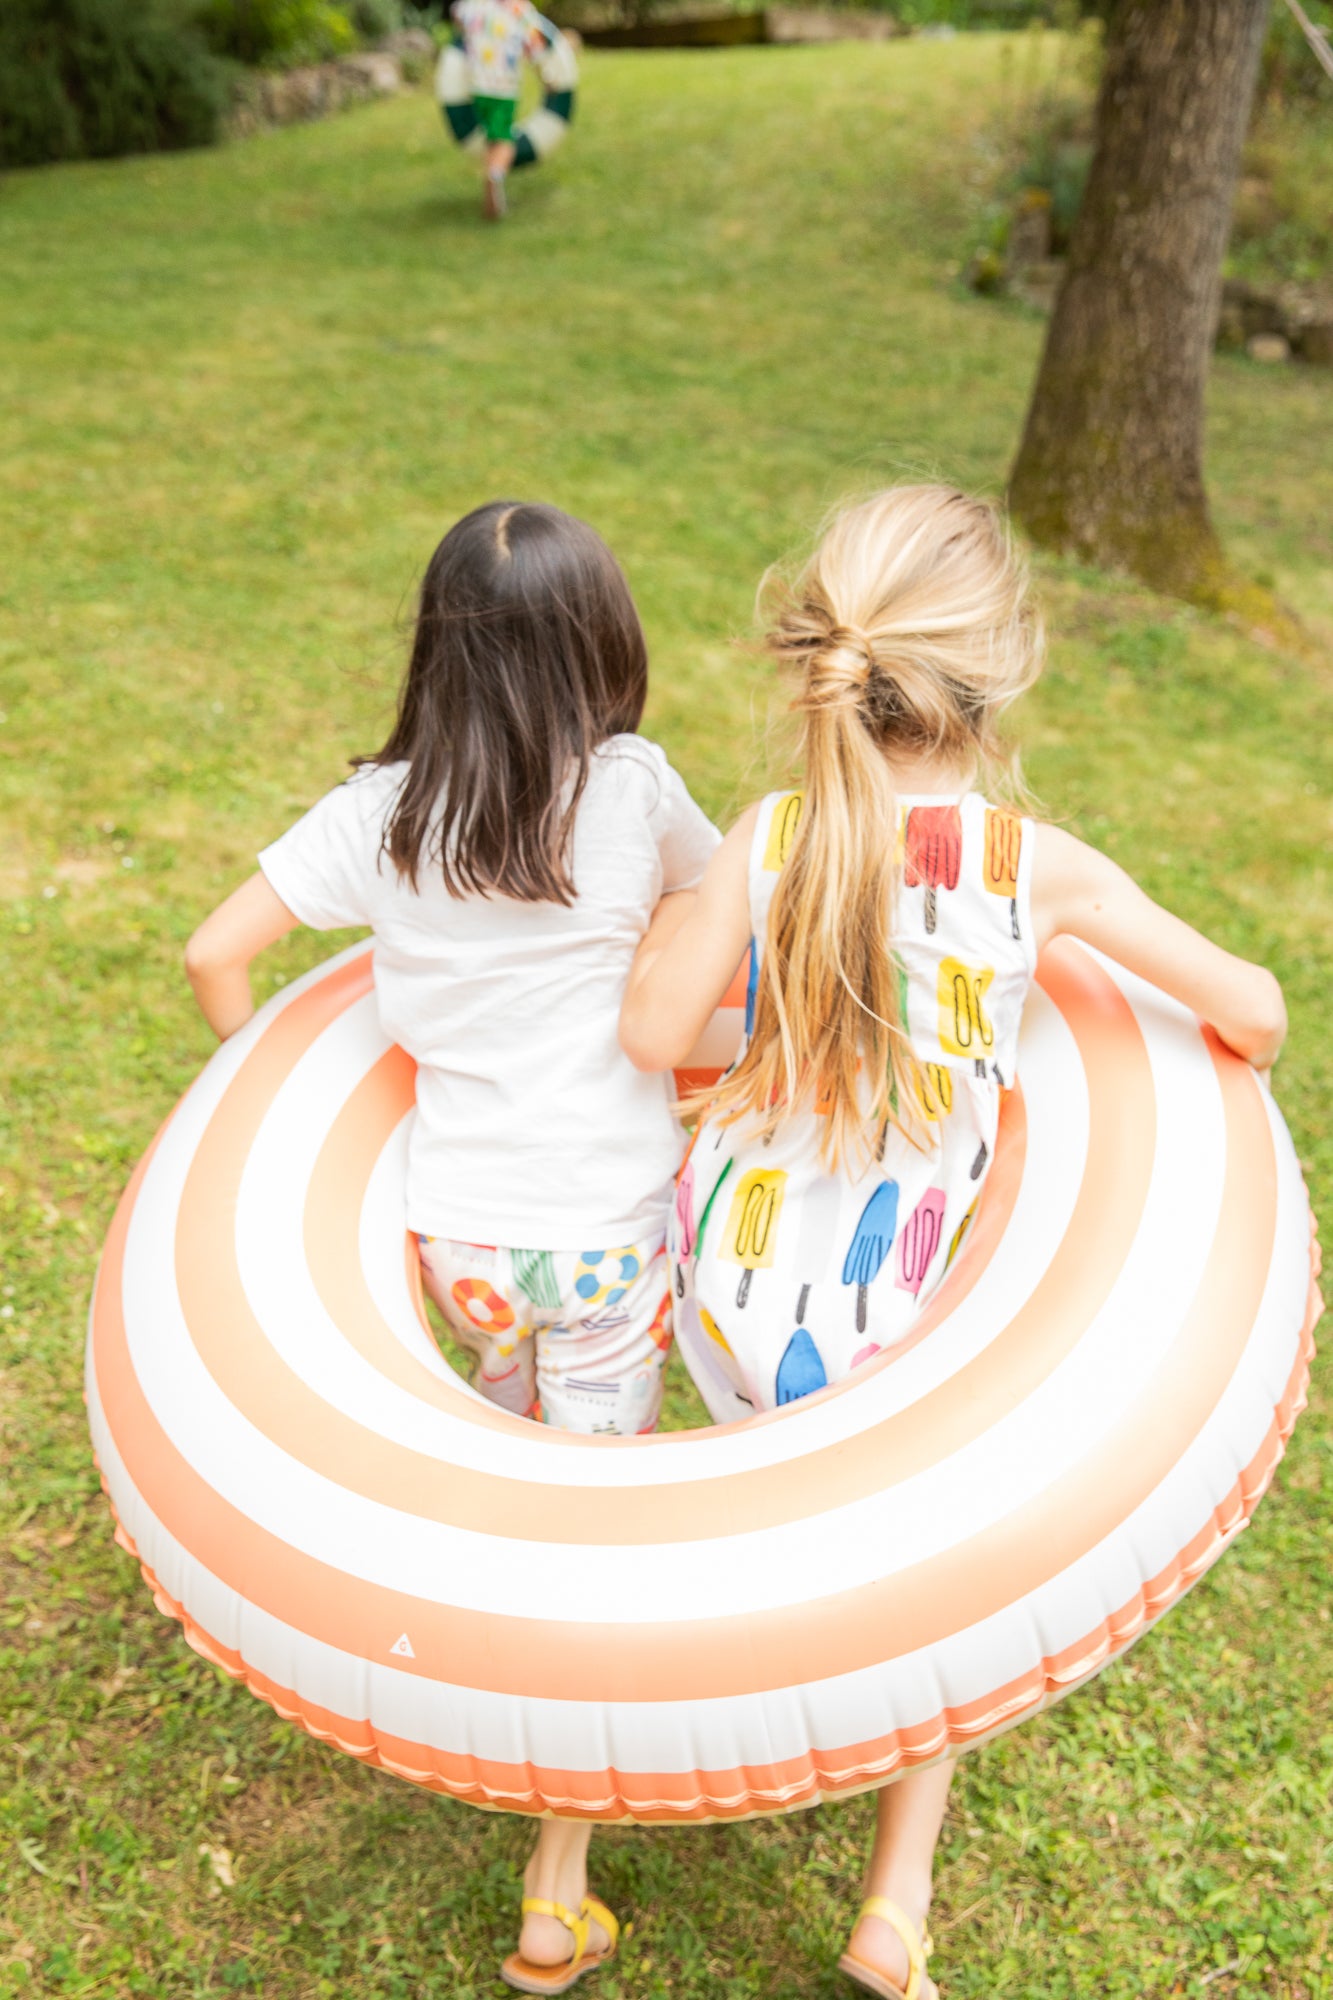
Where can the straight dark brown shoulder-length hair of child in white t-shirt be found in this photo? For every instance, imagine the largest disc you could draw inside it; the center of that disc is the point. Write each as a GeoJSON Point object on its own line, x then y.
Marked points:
{"type": "Point", "coordinates": [527, 655]}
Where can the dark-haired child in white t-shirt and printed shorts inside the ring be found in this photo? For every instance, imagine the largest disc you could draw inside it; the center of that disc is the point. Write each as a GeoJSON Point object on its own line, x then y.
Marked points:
{"type": "Point", "coordinates": [507, 847]}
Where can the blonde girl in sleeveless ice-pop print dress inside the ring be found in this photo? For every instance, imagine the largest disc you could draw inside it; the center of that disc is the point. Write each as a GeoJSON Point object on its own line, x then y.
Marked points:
{"type": "Point", "coordinates": [898, 911]}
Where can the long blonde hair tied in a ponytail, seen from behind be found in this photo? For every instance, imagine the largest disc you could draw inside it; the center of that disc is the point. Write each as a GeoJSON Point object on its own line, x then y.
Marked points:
{"type": "Point", "coordinates": [912, 631]}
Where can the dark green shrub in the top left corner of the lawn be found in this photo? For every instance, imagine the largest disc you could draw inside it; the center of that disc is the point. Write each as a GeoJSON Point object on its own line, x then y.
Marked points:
{"type": "Point", "coordinates": [91, 79]}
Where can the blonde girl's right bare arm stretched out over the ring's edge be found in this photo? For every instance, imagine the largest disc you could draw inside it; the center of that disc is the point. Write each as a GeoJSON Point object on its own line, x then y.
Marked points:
{"type": "Point", "coordinates": [1084, 893]}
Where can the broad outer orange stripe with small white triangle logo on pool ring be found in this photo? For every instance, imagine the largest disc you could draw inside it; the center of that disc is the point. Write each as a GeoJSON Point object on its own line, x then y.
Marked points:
{"type": "Point", "coordinates": [764, 1649]}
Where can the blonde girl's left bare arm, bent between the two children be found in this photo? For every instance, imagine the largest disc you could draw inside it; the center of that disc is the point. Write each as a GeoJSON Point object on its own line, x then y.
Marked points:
{"type": "Point", "coordinates": [690, 959]}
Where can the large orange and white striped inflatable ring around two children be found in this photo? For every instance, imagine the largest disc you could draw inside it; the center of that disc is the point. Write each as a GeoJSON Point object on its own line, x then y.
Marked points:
{"type": "Point", "coordinates": [798, 1607]}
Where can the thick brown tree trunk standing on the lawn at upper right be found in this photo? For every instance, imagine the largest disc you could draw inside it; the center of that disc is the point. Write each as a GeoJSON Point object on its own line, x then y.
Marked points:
{"type": "Point", "coordinates": [1112, 457]}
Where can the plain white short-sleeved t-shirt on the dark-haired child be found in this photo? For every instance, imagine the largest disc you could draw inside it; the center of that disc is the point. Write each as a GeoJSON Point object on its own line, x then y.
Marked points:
{"type": "Point", "coordinates": [533, 1129]}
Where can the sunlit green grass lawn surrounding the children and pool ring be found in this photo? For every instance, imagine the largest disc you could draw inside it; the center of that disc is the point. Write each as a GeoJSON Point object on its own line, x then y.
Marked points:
{"type": "Point", "coordinates": [241, 397]}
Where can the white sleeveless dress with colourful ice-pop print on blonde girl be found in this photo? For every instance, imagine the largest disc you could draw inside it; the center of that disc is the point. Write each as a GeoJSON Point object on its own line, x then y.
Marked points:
{"type": "Point", "coordinates": [790, 1277]}
